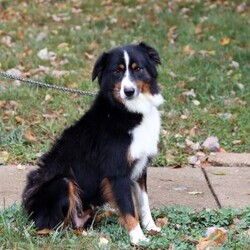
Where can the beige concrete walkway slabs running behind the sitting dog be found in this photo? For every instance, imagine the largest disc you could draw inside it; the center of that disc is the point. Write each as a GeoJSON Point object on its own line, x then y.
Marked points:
{"type": "Point", "coordinates": [227, 185]}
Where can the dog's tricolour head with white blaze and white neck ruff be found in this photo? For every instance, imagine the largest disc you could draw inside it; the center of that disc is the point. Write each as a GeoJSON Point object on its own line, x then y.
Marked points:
{"type": "Point", "coordinates": [128, 75]}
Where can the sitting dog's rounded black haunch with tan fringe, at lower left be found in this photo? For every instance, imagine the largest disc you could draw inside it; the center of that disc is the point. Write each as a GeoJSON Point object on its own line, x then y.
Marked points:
{"type": "Point", "coordinates": [52, 202]}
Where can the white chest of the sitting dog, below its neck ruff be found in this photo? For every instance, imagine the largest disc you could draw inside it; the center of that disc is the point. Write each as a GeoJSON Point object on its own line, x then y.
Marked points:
{"type": "Point", "coordinates": [145, 140]}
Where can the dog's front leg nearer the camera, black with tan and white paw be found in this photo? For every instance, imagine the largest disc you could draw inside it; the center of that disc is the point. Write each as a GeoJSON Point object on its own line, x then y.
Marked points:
{"type": "Point", "coordinates": [117, 191]}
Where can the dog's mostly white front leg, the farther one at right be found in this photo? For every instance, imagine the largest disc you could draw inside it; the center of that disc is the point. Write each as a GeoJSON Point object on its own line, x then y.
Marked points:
{"type": "Point", "coordinates": [140, 191]}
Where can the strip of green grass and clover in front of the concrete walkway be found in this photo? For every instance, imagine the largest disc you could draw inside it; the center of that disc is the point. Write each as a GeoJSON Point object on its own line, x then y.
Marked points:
{"type": "Point", "coordinates": [184, 229]}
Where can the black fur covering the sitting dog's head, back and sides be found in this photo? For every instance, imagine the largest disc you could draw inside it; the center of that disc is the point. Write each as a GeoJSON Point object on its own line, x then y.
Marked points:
{"type": "Point", "coordinates": [92, 150]}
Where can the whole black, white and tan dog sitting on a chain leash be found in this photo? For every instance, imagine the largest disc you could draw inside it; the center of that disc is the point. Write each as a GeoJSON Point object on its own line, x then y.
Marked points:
{"type": "Point", "coordinates": [103, 157]}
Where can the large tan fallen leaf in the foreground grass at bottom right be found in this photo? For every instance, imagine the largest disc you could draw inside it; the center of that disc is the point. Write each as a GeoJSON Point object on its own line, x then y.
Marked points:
{"type": "Point", "coordinates": [215, 237]}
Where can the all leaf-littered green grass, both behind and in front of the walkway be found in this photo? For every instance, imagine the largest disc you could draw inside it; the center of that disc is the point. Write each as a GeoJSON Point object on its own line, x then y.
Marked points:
{"type": "Point", "coordinates": [204, 46]}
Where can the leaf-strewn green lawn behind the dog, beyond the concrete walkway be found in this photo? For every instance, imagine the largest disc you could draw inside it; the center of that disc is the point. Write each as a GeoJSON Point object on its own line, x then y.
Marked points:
{"type": "Point", "coordinates": [99, 27]}
